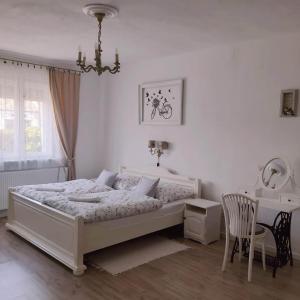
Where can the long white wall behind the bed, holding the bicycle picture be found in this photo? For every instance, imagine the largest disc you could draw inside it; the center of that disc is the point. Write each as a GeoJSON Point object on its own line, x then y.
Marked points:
{"type": "Point", "coordinates": [231, 114]}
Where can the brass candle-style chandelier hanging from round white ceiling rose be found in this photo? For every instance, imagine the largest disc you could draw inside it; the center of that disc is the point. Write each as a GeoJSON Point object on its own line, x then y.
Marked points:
{"type": "Point", "coordinates": [99, 11]}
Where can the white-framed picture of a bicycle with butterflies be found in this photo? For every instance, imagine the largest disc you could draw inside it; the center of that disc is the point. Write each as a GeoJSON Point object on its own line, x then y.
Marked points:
{"type": "Point", "coordinates": [160, 103]}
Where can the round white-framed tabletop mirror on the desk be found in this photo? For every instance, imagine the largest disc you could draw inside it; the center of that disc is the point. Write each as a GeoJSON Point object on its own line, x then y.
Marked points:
{"type": "Point", "coordinates": [275, 174]}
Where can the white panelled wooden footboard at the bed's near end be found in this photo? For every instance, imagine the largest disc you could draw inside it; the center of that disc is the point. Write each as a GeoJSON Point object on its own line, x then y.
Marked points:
{"type": "Point", "coordinates": [54, 232]}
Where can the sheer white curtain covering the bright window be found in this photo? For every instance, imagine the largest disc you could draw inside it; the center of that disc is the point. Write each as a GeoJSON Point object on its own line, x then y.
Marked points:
{"type": "Point", "coordinates": [28, 135]}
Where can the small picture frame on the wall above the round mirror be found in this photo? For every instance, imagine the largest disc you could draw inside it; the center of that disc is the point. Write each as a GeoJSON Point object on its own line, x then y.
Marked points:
{"type": "Point", "coordinates": [289, 103]}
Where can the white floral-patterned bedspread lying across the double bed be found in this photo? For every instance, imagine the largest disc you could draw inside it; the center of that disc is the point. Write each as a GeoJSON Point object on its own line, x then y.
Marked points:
{"type": "Point", "coordinates": [113, 204]}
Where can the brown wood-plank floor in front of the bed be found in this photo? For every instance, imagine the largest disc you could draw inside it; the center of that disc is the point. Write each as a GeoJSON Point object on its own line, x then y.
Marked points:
{"type": "Point", "coordinates": [28, 273]}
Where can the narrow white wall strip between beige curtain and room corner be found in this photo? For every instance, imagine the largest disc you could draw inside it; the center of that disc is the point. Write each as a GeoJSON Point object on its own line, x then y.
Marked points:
{"type": "Point", "coordinates": [88, 149]}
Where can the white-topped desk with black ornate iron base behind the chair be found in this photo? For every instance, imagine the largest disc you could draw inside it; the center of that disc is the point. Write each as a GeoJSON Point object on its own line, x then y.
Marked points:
{"type": "Point", "coordinates": [281, 229]}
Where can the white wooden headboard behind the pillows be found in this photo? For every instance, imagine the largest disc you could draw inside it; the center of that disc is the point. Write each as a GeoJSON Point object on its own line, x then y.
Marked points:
{"type": "Point", "coordinates": [166, 176]}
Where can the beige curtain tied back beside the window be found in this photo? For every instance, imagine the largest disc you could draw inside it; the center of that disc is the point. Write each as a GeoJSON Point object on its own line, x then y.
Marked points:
{"type": "Point", "coordinates": [64, 88]}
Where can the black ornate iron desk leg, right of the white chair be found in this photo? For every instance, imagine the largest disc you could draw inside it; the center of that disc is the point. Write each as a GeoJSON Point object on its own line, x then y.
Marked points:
{"type": "Point", "coordinates": [281, 230]}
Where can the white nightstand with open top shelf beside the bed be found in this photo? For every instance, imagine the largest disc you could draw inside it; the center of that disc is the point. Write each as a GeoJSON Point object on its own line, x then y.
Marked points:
{"type": "Point", "coordinates": [202, 220]}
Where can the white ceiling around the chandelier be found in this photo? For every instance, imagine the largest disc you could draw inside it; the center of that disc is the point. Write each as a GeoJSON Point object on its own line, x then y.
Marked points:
{"type": "Point", "coordinates": [54, 29]}
